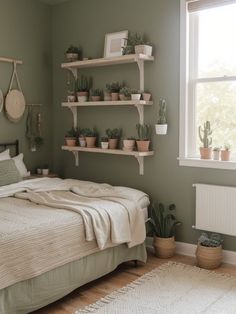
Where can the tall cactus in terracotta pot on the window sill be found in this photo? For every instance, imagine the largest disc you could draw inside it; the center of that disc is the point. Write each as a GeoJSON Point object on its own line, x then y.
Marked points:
{"type": "Point", "coordinates": [204, 135]}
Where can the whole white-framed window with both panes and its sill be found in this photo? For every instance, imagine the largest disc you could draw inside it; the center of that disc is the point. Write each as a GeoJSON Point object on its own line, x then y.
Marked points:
{"type": "Point", "coordinates": [208, 78]}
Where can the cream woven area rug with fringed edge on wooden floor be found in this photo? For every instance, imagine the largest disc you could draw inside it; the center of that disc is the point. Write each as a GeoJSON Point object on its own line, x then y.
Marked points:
{"type": "Point", "coordinates": [172, 288]}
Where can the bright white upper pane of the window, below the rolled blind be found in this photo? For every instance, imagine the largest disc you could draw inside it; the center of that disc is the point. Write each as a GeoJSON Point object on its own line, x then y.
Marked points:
{"type": "Point", "coordinates": [217, 44]}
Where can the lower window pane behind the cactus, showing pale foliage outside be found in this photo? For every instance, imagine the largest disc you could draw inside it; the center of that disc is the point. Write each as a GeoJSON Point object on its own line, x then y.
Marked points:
{"type": "Point", "coordinates": [216, 102]}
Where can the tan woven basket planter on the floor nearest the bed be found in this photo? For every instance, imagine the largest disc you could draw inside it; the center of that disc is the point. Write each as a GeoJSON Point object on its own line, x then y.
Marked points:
{"type": "Point", "coordinates": [164, 247]}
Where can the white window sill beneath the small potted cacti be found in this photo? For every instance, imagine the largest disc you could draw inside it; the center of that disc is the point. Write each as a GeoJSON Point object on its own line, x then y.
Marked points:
{"type": "Point", "coordinates": [204, 163]}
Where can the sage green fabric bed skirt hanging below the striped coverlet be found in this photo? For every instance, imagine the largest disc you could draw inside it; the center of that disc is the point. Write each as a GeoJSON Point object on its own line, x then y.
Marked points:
{"type": "Point", "coordinates": [35, 293]}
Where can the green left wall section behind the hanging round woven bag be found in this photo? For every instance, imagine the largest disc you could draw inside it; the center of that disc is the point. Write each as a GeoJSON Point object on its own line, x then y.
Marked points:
{"type": "Point", "coordinates": [25, 34]}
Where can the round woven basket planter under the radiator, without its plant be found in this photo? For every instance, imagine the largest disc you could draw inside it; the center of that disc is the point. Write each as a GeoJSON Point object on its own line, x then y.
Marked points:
{"type": "Point", "coordinates": [209, 257]}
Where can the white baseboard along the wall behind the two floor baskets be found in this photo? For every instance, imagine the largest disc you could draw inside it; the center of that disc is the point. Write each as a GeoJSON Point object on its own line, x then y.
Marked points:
{"type": "Point", "coordinates": [188, 249]}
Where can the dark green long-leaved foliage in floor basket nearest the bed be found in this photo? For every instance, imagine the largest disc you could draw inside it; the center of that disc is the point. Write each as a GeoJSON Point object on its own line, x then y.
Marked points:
{"type": "Point", "coordinates": [162, 222]}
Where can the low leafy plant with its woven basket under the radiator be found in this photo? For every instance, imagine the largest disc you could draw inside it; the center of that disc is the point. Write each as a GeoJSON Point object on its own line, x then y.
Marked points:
{"type": "Point", "coordinates": [209, 251]}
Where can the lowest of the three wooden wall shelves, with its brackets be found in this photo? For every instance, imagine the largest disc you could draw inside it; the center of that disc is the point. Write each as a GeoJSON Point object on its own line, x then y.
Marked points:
{"type": "Point", "coordinates": [138, 155]}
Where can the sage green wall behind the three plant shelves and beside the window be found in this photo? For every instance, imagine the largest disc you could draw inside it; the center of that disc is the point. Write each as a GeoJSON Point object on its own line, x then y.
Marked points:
{"type": "Point", "coordinates": [85, 23]}
